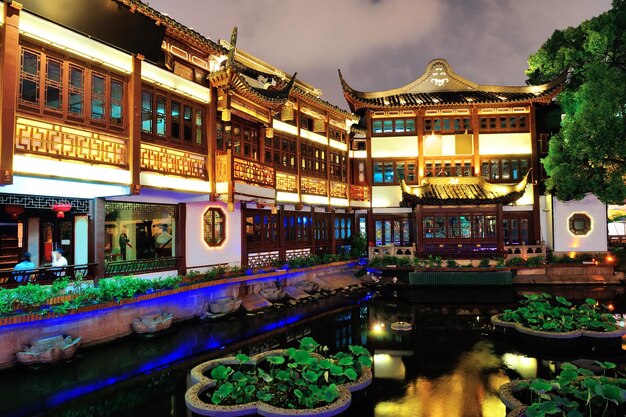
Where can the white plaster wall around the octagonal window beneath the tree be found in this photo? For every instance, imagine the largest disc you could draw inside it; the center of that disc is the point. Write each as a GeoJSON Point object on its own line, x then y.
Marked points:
{"type": "Point", "coordinates": [595, 241]}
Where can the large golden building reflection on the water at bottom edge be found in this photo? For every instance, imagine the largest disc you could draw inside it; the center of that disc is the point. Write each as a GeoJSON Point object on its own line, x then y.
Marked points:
{"type": "Point", "coordinates": [469, 390]}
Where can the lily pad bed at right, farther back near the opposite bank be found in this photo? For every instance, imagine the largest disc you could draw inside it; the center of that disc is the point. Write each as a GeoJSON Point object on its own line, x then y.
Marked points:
{"type": "Point", "coordinates": [543, 313]}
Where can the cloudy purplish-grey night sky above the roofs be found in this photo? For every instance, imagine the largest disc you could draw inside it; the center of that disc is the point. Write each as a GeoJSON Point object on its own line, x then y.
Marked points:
{"type": "Point", "coordinates": [383, 44]}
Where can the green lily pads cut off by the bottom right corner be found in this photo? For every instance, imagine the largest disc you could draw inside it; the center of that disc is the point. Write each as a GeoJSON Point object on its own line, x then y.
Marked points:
{"type": "Point", "coordinates": [576, 392]}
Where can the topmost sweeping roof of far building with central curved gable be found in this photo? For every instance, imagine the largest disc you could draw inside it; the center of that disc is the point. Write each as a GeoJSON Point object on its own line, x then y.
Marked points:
{"type": "Point", "coordinates": [440, 85]}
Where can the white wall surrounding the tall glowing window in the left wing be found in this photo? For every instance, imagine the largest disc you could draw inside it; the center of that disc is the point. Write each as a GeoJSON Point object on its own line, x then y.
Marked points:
{"type": "Point", "coordinates": [198, 252]}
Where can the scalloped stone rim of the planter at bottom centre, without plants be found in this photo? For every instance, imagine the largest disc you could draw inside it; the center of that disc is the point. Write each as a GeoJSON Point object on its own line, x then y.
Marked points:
{"type": "Point", "coordinates": [202, 383]}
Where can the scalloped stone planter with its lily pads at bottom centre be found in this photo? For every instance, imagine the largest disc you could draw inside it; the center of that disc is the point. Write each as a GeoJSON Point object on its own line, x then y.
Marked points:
{"type": "Point", "coordinates": [281, 382]}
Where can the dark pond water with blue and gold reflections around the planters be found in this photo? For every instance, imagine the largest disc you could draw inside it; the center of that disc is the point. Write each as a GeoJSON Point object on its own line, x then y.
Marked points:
{"type": "Point", "coordinates": [450, 365]}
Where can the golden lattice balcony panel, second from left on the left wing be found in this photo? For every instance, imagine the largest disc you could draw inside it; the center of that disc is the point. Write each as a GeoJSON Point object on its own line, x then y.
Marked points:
{"type": "Point", "coordinates": [172, 161]}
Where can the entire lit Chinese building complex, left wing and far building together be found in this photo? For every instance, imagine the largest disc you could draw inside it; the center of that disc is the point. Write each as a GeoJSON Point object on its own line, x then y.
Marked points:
{"type": "Point", "coordinates": [138, 145]}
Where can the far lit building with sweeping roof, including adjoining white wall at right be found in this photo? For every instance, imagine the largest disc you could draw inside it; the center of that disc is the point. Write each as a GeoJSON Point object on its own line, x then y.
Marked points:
{"type": "Point", "coordinates": [453, 168]}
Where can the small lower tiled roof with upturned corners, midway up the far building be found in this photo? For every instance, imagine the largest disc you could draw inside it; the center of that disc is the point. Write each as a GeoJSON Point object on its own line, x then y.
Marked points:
{"type": "Point", "coordinates": [436, 191]}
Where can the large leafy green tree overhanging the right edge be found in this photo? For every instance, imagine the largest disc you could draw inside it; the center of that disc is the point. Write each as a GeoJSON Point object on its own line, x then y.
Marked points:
{"type": "Point", "coordinates": [589, 152]}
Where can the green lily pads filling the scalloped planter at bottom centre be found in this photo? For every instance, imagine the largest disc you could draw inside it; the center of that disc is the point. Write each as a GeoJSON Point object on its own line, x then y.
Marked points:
{"type": "Point", "coordinates": [302, 378]}
